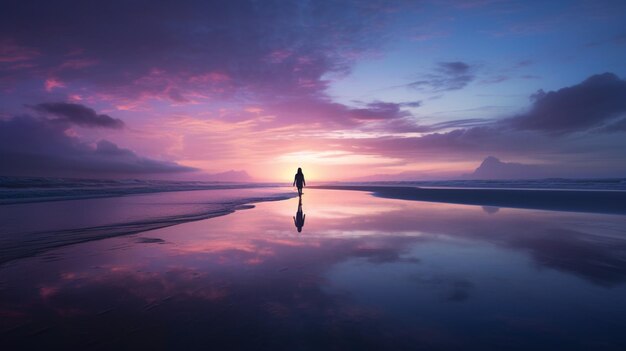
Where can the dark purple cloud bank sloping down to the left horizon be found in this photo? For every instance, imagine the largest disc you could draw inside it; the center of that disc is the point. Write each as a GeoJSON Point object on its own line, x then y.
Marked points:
{"type": "Point", "coordinates": [39, 146]}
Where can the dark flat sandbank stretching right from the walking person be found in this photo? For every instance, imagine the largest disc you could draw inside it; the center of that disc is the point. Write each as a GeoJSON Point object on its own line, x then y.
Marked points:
{"type": "Point", "coordinates": [590, 201]}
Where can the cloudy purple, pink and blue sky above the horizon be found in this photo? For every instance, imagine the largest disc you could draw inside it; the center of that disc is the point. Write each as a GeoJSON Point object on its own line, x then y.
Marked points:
{"type": "Point", "coordinates": [347, 90]}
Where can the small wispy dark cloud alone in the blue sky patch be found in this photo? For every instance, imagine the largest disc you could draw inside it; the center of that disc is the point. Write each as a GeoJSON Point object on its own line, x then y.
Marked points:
{"type": "Point", "coordinates": [446, 76]}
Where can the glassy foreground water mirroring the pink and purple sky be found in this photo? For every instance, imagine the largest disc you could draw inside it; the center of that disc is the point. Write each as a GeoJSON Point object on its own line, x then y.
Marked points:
{"type": "Point", "coordinates": [364, 273]}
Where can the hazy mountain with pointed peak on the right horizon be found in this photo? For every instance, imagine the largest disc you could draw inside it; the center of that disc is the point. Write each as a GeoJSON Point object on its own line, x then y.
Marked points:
{"type": "Point", "coordinates": [493, 168]}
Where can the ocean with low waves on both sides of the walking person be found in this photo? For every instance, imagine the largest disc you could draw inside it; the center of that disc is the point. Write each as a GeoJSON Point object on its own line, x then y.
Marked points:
{"type": "Point", "coordinates": [38, 214]}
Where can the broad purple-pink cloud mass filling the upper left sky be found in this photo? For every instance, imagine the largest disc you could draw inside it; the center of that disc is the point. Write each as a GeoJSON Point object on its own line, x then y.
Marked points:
{"type": "Point", "coordinates": [179, 51]}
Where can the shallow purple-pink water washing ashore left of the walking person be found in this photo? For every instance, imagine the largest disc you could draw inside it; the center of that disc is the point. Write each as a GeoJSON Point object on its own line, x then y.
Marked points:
{"type": "Point", "coordinates": [27, 229]}
